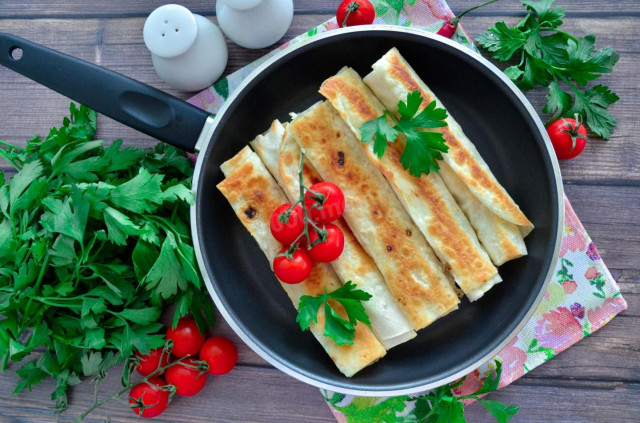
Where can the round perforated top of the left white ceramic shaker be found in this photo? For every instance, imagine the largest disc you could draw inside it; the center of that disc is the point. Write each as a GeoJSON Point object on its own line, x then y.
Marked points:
{"type": "Point", "coordinates": [170, 30]}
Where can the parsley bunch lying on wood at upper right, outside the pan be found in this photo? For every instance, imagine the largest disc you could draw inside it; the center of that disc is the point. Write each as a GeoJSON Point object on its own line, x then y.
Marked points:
{"type": "Point", "coordinates": [553, 58]}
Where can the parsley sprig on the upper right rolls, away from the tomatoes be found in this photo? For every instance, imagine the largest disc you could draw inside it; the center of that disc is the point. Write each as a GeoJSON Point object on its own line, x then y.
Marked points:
{"type": "Point", "coordinates": [422, 148]}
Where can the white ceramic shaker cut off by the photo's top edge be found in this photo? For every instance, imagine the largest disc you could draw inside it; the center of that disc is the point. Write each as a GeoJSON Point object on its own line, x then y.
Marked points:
{"type": "Point", "coordinates": [254, 23]}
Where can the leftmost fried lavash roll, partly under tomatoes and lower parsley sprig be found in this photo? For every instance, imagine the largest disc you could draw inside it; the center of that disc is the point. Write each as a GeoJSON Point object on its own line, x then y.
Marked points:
{"type": "Point", "coordinates": [249, 186]}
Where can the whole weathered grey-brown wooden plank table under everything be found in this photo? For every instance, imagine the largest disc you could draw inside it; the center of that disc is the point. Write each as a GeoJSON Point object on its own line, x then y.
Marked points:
{"type": "Point", "coordinates": [596, 380]}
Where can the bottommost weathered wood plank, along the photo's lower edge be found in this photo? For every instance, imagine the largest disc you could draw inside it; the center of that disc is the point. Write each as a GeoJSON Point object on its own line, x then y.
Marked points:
{"type": "Point", "coordinates": [240, 396]}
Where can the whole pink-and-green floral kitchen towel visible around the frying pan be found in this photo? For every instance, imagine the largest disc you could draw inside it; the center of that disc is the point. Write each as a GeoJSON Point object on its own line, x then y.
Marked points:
{"type": "Point", "coordinates": [581, 298]}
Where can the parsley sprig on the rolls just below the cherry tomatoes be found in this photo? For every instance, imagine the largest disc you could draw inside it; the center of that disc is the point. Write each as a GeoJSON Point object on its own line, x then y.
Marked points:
{"type": "Point", "coordinates": [341, 330]}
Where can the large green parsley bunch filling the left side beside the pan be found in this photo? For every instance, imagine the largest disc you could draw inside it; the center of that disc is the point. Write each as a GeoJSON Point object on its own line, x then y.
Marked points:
{"type": "Point", "coordinates": [95, 243]}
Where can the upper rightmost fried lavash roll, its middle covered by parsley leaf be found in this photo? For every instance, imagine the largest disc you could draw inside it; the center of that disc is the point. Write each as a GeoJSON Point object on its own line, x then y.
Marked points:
{"type": "Point", "coordinates": [391, 79]}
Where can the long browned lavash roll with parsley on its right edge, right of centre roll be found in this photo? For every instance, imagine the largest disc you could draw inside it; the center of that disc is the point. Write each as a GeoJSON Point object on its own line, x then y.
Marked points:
{"type": "Point", "coordinates": [426, 199]}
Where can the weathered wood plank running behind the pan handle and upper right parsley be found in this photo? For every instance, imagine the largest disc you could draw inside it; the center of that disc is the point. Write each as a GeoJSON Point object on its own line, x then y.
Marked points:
{"type": "Point", "coordinates": [117, 44]}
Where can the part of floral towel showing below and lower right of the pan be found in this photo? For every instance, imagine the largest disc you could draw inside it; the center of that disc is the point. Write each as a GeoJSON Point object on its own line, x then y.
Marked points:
{"type": "Point", "coordinates": [581, 298]}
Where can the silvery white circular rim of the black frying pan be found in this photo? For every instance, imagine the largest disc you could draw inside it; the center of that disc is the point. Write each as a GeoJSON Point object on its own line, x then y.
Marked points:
{"type": "Point", "coordinates": [203, 147]}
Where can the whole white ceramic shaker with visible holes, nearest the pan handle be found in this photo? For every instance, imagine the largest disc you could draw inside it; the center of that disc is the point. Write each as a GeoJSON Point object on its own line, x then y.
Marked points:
{"type": "Point", "coordinates": [188, 51]}
